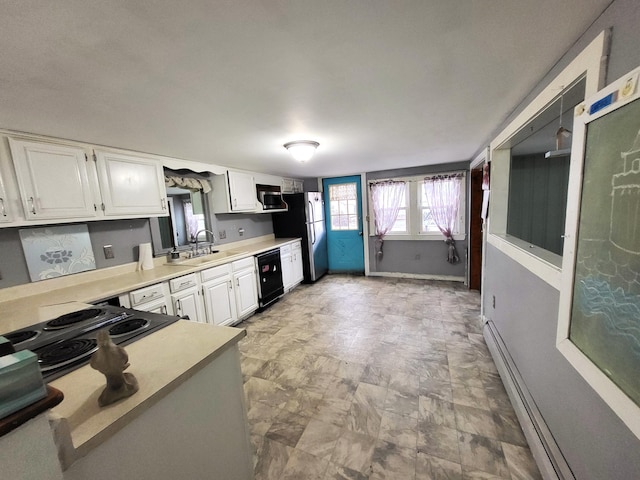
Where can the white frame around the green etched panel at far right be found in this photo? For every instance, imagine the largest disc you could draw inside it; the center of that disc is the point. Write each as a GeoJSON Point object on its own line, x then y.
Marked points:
{"type": "Point", "coordinates": [616, 399]}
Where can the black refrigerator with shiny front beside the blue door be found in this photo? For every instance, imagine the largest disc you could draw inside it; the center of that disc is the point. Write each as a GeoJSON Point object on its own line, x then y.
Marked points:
{"type": "Point", "coordinates": [305, 219]}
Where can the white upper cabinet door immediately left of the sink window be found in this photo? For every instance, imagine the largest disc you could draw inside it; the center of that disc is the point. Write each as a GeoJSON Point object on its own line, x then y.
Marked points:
{"type": "Point", "coordinates": [131, 185]}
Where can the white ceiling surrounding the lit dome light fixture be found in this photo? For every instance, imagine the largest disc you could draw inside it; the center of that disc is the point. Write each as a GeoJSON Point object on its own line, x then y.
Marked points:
{"type": "Point", "coordinates": [380, 84]}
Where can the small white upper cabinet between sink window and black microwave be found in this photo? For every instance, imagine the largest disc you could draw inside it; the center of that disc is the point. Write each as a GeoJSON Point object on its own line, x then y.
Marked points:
{"type": "Point", "coordinates": [234, 192]}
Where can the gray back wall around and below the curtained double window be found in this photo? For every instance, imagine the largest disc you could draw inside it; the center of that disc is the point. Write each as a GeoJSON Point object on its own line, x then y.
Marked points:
{"type": "Point", "coordinates": [425, 257]}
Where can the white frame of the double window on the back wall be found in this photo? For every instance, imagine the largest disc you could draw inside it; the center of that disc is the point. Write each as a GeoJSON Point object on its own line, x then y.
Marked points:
{"type": "Point", "coordinates": [414, 210]}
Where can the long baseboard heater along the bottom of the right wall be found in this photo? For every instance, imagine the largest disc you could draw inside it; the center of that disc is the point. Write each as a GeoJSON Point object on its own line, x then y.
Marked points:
{"type": "Point", "coordinates": [545, 450]}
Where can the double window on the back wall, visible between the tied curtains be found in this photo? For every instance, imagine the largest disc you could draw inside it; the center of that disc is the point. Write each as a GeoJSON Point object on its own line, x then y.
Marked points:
{"type": "Point", "coordinates": [415, 219]}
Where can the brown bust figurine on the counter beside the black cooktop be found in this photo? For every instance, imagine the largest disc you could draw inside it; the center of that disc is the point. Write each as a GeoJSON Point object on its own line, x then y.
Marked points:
{"type": "Point", "coordinates": [111, 361]}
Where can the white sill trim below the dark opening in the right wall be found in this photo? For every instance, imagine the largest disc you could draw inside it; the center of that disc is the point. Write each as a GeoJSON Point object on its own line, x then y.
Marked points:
{"type": "Point", "coordinates": [543, 269]}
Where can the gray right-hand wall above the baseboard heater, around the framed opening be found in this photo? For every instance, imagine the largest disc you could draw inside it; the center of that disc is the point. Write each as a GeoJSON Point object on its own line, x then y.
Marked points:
{"type": "Point", "coordinates": [596, 444]}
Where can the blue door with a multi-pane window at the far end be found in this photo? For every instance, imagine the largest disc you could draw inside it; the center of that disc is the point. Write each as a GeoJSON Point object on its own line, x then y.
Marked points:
{"type": "Point", "coordinates": [343, 213]}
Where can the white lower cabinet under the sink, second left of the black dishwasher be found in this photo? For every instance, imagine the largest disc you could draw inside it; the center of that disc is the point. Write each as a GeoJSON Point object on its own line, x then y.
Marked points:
{"type": "Point", "coordinates": [218, 294]}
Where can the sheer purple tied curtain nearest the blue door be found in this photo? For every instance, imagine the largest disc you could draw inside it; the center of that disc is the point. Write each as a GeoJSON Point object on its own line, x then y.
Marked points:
{"type": "Point", "coordinates": [386, 199]}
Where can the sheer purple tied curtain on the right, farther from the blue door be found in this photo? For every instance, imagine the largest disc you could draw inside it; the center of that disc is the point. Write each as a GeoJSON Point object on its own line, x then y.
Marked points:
{"type": "Point", "coordinates": [443, 199]}
